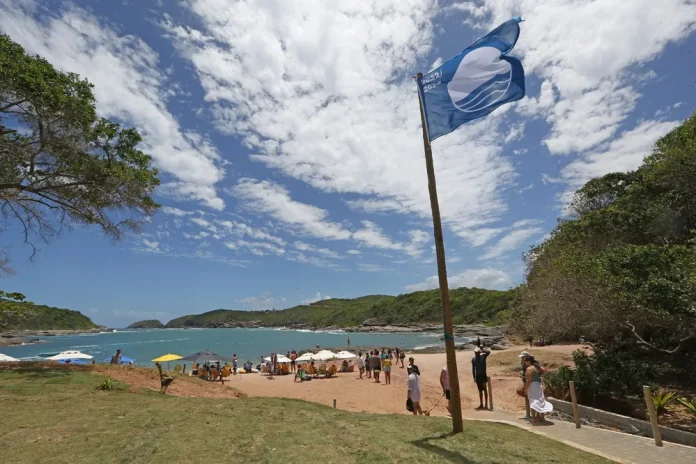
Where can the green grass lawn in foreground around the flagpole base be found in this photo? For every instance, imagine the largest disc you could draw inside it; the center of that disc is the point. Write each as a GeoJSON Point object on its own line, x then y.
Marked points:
{"type": "Point", "coordinates": [56, 415]}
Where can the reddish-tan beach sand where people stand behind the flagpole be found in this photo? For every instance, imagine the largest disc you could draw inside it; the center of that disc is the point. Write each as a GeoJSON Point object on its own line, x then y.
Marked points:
{"type": "Point", "coordinates": [354, 394]}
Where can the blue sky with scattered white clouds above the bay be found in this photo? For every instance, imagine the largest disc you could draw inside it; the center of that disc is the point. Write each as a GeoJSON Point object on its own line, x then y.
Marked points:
{"type": "Point", "coordinates": [288, 138]}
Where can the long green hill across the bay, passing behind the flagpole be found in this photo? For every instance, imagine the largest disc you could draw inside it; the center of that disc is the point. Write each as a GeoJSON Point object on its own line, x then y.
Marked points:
{"type": "Point", "coordinates": [469, 305]}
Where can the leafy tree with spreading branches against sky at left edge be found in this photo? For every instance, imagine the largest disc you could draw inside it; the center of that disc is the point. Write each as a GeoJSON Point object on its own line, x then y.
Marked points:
{"type": "Point", "coordinates": [60, 165]}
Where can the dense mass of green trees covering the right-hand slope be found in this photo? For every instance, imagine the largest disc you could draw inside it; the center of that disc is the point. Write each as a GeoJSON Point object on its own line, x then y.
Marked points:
{"type": "Point", "coordinates": [623, 265]}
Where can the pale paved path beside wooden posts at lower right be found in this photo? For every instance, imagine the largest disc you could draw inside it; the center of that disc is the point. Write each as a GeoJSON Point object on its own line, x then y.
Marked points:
{"type": "Point", "coordinates": [617, 446]}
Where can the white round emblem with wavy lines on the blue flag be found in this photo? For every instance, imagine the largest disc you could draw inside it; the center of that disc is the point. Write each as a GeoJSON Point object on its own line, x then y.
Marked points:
{"type": "Point", "coordinates": [481, 80]}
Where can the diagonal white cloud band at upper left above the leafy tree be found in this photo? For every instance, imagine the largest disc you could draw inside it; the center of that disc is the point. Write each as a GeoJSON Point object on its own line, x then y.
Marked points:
{"type": "Point", "coordinates": [127, 85]}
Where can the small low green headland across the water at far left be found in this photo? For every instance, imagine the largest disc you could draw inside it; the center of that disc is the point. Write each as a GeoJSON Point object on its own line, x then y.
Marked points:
{"type": "Point", "coordinates": [40, 317]}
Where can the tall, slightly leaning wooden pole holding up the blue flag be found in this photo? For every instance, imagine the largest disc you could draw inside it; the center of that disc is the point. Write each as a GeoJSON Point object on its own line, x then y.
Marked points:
{"type": "Point", "coordinates": [457, 425]}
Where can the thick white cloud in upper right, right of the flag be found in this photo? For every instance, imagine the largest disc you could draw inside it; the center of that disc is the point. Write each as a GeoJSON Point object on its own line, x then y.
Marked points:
{"type": "Point", "coordinates": [584, 58]}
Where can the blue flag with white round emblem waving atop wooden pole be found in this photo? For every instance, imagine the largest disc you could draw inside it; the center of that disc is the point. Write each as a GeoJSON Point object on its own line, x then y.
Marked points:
{"type": "Point", "coordinates": [474, 83]}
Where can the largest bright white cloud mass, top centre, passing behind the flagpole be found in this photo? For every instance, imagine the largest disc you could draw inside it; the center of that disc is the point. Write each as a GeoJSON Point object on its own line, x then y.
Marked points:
{"type": "Point", "coordinates": [295, 80]}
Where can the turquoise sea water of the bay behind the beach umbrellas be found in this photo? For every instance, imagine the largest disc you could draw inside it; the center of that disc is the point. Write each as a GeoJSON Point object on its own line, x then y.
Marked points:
{"type": "Point", "coordinates": [143, 345]}
